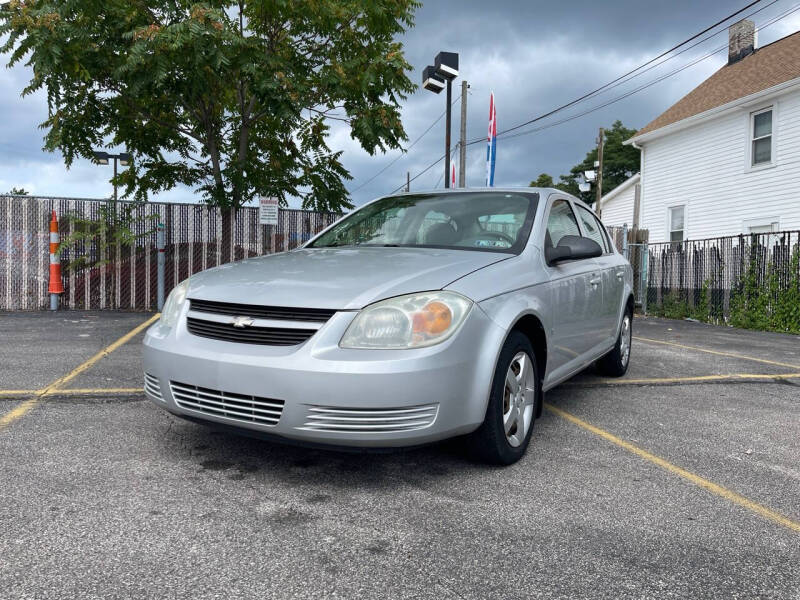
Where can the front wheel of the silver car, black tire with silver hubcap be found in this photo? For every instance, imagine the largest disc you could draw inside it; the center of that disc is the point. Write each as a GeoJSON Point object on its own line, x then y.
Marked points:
{"type": "Point", "coordinates": [506, 430]}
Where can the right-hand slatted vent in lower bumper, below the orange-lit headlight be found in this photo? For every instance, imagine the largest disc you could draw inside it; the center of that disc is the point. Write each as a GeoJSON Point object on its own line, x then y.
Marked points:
{"type": "Point", "coordinates": [370, 420]}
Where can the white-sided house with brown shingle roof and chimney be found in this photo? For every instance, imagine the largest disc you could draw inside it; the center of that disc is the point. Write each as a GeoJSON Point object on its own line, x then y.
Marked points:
{"type": "Point", "coordinates": [725, 159]}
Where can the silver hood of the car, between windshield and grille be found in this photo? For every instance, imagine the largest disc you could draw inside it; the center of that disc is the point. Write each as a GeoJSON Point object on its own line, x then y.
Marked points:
{"type": "Point", "coordinates": [336, 278]}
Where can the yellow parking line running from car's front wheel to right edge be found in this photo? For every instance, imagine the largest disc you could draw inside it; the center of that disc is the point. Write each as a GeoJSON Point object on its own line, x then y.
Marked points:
{"type": "Point", "coordinates": [710, 486]}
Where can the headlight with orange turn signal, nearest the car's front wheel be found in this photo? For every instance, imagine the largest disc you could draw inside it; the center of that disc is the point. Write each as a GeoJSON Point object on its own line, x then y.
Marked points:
{"type": "Point", "coordinates": [411, 321]}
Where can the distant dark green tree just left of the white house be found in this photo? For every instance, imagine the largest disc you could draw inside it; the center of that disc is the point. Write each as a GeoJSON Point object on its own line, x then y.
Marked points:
{"type": "Point", "coordinates": [619, 163]}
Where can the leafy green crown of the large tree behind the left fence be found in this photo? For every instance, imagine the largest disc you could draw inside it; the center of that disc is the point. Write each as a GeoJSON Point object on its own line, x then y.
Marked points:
{"type": "Point", "coordinates": [232, 97]}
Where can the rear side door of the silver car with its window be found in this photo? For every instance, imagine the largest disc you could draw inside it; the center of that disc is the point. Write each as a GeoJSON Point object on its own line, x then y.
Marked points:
{"type": "Point", "coordinates": [612, 271]}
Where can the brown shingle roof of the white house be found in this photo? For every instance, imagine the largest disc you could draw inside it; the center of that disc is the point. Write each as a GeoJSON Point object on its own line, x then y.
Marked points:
{"type": "Point", "coordinates": [768, 66]}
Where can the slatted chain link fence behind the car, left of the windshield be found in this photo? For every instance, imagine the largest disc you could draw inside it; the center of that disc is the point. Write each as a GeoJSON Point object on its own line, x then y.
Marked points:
{"type": "Point", "coordinates": [123, 276]}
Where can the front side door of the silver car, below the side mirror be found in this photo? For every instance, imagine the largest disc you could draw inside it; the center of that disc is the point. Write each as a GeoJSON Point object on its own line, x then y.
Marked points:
{"type": "Point", "coordinates": [577, 296]}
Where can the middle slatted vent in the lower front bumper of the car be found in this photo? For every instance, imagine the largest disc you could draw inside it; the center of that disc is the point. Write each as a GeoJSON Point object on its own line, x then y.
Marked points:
{"type": "Point", "coordinates": [240, 407]}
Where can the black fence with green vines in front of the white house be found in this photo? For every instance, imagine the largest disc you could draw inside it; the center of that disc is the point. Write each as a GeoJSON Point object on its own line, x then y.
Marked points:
{"type": "Point", "coordinates": [750, 280]}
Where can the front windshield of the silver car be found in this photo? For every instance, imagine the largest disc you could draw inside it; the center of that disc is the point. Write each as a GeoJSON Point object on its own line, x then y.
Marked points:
{"type": "Point", "coordinates": [484, 221]}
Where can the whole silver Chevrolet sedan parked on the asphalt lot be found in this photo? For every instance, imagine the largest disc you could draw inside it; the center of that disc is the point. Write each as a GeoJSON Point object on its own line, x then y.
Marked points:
{"type": "Point", "coordinates": [417, 317]}
